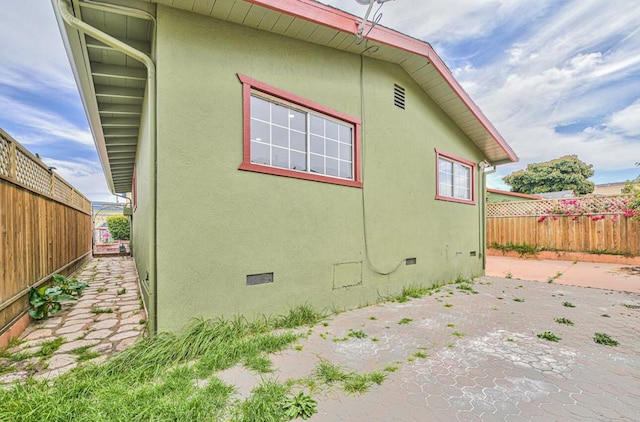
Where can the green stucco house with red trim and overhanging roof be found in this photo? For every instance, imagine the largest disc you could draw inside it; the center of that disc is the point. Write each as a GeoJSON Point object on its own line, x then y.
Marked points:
{"type": "Point", "coordinates": [274, 158]}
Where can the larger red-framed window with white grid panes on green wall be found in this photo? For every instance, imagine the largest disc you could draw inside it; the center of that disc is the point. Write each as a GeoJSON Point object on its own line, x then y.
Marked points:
{"type": "Point", "coordinates": [288, 136]}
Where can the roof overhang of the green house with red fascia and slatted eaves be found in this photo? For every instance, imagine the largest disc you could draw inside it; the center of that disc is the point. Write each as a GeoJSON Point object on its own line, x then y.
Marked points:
{"type": "Point", "coordinates": [112, 86]}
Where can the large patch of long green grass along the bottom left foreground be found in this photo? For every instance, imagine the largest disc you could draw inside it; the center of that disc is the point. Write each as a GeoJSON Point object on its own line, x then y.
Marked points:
{"type": "Point", "coordinates": [155, 379]}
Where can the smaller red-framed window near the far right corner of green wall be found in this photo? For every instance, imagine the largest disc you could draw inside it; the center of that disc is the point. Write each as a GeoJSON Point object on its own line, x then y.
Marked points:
{"type": "Point", "coordinates": [455, 178]}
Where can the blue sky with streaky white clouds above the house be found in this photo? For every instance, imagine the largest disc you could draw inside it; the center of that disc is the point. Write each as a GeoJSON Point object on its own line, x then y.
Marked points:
{"type": "Point", "coordinates": [555, 77]}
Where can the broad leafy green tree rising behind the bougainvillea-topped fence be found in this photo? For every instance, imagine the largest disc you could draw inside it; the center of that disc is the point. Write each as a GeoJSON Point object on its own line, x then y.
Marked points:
{"type": "Point", "coordinates": [564, 173]}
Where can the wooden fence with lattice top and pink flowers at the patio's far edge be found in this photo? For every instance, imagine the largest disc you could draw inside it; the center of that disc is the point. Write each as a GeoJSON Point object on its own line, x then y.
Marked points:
{"type": "Point", "coordinates": [596, 224]}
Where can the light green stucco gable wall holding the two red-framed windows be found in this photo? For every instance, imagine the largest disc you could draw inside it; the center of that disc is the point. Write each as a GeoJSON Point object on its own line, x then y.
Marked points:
{"type": "Point", "coordinates": [217, 224]}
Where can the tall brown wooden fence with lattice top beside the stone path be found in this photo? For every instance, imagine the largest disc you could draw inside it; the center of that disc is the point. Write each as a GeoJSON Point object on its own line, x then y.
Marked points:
{"type": "Point", "coordinates": [45, 227]}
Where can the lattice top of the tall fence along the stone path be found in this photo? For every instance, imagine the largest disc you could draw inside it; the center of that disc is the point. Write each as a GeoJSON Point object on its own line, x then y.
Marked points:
{"type": "Point", "coordinates": [23, 168]}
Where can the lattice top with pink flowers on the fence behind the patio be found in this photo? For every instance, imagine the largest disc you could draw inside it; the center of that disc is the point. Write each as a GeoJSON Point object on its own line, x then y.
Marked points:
{"type": "Point", "coordinates": [590, 205]}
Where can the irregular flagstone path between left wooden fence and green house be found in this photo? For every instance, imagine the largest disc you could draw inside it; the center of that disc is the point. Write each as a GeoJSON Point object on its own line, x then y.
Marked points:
{"type": "Point", "coordinates": [108, 318]}
